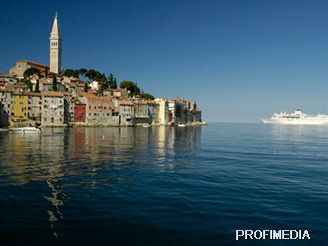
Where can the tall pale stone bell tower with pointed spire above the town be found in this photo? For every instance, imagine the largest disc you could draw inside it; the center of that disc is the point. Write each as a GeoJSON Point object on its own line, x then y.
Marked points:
{"type": "Point", "coordinates": [55, 47]}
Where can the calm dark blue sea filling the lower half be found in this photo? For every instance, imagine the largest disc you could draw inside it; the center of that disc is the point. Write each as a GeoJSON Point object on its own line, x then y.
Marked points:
{"type": "Point", "coordinates": [163, 186]}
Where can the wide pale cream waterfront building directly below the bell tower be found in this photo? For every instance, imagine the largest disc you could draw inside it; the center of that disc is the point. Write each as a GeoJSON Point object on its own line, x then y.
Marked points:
{"type": "Point", "coordinates": [53, 107]}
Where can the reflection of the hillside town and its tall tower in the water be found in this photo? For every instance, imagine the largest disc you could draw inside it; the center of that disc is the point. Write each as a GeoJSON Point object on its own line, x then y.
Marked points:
{"type": "Point", "coordinates": [60, 160]}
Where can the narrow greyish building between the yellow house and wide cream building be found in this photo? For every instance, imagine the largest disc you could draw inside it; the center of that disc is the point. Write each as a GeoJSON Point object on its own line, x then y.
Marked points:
{"type": "Point", "coordinates": [34, 107]}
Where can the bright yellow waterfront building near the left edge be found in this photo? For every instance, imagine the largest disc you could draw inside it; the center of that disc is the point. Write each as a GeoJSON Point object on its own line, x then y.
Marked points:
{"type": "Point", "coordinates": [19, 109]}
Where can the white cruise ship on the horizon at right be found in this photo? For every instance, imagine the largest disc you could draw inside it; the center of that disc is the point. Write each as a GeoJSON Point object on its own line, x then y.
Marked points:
{"type": "Point", "coordinates": [297, 118]}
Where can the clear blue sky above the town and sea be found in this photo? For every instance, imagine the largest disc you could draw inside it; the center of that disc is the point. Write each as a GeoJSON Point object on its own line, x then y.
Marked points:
{"type": "Point", "coordinates": [241, 60]}
